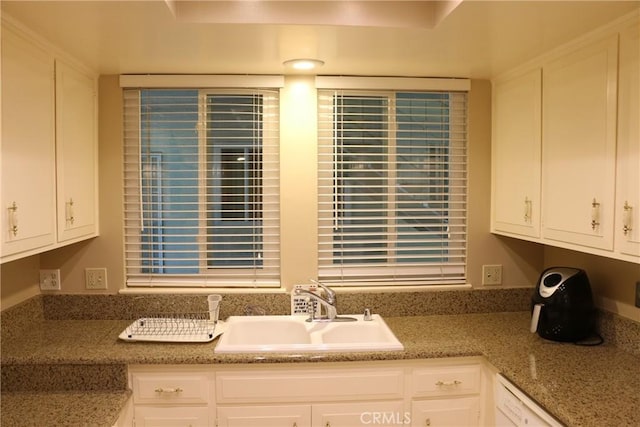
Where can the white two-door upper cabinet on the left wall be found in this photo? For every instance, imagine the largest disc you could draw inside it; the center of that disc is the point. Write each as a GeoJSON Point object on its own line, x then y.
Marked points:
{"type": "Point", "coordinates": [49, 147]}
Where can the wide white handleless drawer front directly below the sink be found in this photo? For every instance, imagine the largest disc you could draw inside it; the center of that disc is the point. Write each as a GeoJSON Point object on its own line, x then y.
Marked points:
{"type": "Point", "coordinates": [309, 385]}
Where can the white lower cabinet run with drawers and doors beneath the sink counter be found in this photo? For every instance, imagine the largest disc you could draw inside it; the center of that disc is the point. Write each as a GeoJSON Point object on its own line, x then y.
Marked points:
{"type": "Point", "coordinates": [433, 392]}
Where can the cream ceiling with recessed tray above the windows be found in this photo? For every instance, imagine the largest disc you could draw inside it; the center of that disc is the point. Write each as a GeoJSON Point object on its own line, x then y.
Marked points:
{"type": "Point", "coordinates": [475, 39]}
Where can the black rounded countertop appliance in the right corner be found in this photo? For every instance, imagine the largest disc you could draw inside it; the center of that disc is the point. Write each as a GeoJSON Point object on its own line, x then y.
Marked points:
{"type": "Point", "coordinates": [562, 305]}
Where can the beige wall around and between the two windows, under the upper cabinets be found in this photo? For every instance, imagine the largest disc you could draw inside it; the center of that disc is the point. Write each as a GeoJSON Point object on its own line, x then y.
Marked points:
{"type": "Point", "coordinates": [522, 261]}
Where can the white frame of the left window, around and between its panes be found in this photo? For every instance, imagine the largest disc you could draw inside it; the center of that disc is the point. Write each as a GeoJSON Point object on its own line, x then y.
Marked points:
{"type": "Point", "coordinates": [206, 276]}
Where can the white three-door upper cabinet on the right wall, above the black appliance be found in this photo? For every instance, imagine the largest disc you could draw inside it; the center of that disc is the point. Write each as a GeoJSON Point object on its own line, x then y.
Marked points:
{"type": "Point", "coordinates": [566, 146]}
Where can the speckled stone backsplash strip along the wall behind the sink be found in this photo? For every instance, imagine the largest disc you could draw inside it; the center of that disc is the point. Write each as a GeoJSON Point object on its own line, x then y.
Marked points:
{"type": "Point", "coordinates": [616, 330]}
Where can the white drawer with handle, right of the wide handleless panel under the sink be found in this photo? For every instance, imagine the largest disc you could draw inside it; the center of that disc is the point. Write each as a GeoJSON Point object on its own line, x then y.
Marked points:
{"type": "Point", "coordinates": [446, 380]}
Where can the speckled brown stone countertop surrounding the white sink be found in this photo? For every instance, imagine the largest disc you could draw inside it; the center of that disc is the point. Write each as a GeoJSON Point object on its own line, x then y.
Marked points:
{"type": "Point", "coordinates": [76, 365]}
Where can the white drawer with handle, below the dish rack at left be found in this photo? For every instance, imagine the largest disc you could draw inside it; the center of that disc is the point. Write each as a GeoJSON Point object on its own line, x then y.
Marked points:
{"type": "Point", "coordinates": [171, 388]}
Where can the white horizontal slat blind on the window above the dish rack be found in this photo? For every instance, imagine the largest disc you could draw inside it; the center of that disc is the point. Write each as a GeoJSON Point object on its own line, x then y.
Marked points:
{"type": "Point", "coordinates": [201, 187]}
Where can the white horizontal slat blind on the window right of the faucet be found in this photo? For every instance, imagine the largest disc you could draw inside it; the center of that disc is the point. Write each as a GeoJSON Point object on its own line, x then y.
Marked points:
{"type": "Point", "coordinates": [392, 187]}
